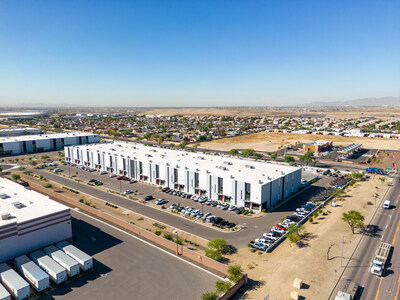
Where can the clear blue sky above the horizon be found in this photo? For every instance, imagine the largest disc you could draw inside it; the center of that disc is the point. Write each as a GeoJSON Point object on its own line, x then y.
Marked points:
{"type": "Point", "coordinates": [197, 53]}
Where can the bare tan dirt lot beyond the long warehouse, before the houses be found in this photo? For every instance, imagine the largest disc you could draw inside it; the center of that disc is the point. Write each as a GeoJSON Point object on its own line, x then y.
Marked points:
{"type": "Point", "coordinates": [271, 141]}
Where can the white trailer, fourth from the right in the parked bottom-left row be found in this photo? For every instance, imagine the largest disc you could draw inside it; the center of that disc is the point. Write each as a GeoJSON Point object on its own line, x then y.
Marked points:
{"type": "Point", "coordinates": [32, 273]}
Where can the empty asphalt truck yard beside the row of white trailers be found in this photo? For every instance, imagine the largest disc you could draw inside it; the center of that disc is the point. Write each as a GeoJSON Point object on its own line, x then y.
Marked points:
{"type": "Point", "coordinates": [127, 268]}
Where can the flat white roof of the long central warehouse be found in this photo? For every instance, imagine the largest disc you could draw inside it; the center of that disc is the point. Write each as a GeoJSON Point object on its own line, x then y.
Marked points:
{"type": "Point", "coordinates": [244, 170]}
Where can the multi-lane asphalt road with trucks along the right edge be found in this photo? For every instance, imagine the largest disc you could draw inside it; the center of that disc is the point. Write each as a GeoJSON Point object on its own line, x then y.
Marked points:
{"type": "Point", "coordinates": [383, 228]}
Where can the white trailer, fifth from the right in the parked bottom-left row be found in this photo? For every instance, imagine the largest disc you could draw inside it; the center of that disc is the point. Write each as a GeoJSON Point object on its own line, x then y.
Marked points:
{"type": "Point", "coordinates": [13, 282]}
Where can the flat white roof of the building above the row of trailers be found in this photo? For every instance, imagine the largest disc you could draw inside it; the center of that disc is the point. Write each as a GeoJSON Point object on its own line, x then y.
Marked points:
{"type": "Point", "coordinates": [23, 204]}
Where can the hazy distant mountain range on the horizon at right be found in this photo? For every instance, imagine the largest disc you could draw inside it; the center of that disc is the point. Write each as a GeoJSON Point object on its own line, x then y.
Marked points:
{"type": "Point", "coordinates": [386, 101]}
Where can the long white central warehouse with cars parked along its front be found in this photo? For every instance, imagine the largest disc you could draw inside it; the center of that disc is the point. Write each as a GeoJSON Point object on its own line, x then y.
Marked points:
{"type": "Point", "coordinates": [252, 184]}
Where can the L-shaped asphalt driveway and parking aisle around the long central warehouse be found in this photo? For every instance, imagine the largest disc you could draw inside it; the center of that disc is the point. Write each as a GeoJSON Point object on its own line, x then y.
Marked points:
{"type": "Point", "coordinates": [253, 228]}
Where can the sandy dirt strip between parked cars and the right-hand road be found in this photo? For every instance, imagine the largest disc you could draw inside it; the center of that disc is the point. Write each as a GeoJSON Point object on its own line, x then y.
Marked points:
{"type": "Point", "coordinates": [309, 263]}
